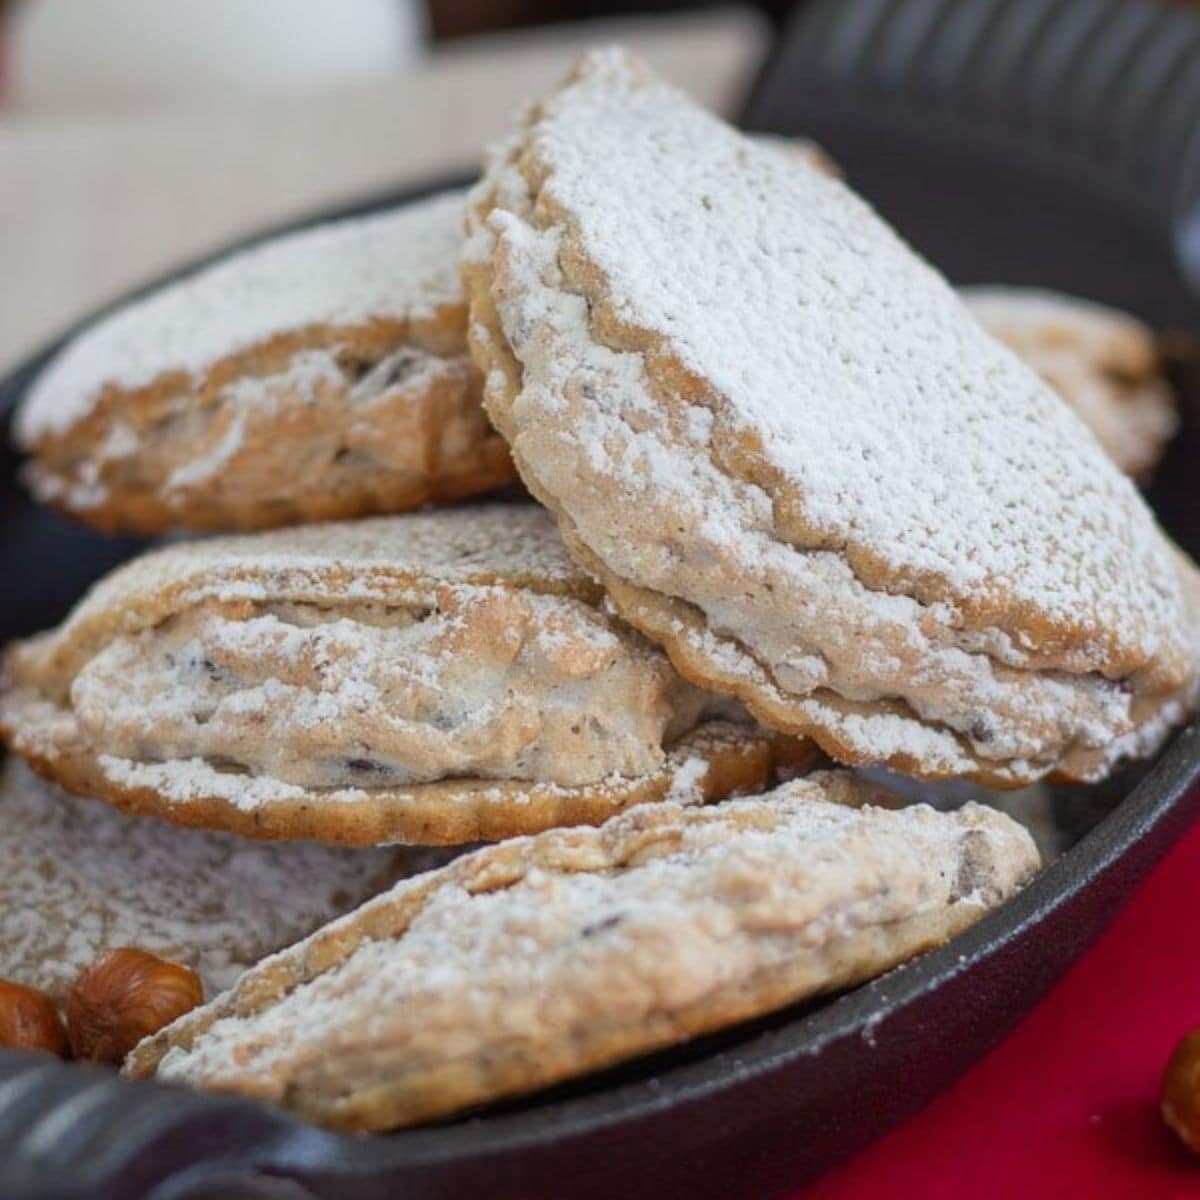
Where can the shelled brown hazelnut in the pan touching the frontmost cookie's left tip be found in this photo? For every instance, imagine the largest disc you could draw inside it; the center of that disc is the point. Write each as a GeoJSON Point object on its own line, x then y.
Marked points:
{"type": "Point", "coordinates": [125, 997]}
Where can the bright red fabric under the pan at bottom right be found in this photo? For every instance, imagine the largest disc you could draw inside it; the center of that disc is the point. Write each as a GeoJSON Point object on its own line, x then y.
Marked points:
{"type": "Point", "coordinates": [1067, 1106]}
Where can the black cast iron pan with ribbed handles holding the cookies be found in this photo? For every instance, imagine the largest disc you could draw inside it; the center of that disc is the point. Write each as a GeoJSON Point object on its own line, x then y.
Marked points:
{"type": "Point", "coordinates": [1049, 142]}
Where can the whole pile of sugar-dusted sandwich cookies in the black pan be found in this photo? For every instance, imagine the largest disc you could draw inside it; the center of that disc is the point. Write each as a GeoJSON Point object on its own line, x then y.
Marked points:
{"type": "Point", "coordinates": [795, 514]}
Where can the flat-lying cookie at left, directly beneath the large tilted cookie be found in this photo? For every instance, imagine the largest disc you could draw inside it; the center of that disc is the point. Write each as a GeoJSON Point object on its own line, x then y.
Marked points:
{"type": "Point", "coordinates": [440, 677]}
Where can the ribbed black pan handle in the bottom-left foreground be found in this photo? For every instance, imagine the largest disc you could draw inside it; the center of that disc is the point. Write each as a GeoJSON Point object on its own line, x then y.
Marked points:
{"type": "Point", "coordinates": [77, 1133]}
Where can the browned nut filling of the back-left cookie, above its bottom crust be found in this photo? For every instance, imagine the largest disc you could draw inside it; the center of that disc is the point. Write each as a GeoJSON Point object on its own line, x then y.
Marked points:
{"type": "Point", "coordinates": [323, 421]}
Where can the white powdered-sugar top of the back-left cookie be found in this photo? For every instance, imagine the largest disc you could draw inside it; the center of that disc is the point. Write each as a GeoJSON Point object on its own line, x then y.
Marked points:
{"type": "Point", "coordinates": [399, 265]}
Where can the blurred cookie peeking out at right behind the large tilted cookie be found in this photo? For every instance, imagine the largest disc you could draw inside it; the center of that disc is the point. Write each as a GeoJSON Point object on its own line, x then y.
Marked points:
{"type": "Point", "coordinates": [1105, 363]}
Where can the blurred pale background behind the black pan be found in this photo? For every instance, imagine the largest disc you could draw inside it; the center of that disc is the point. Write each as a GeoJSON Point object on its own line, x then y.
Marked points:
{"type": "Point", "coordinates": [137, 134]}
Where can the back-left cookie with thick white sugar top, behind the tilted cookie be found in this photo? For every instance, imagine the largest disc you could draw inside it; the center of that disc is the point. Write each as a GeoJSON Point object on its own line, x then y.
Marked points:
{"type": "Point", "coordinates": [317, 376]}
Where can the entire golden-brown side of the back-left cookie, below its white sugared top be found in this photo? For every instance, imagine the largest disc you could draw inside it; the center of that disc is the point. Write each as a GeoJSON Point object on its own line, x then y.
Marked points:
{"type": "Point", "coordinates": [296, 429]}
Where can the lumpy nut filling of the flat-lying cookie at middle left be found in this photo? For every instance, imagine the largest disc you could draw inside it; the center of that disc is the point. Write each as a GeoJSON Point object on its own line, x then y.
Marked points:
{"type": "Point", "coordinates": [488, 683]}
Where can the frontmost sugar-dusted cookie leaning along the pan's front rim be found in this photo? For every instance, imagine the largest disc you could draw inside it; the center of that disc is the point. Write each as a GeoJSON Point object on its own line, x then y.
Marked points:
{"type": "Point", "coordinates": [541, 959]}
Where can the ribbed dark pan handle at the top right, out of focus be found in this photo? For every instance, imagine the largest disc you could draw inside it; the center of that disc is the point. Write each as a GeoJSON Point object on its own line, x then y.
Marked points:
{"type": "Point", "coordinates": [1105, 91]}
